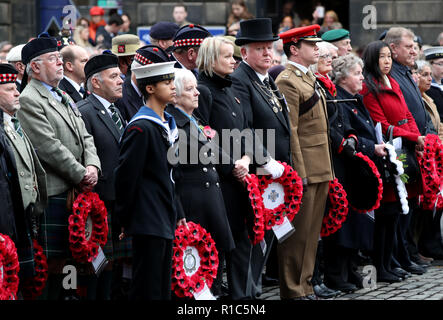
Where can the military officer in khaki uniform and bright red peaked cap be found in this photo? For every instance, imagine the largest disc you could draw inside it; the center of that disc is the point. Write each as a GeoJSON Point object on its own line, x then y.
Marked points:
{"type": "Point", "coordinates": [311, 156]}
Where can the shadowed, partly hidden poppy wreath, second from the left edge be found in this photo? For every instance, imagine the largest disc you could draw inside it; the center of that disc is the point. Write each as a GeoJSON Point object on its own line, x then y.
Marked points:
{"type": "Point", "coordinates": [33, 287]}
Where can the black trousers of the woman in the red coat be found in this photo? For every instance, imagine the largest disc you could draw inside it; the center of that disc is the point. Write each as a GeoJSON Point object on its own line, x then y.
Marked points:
{"type": "Point", "coordinates": [386, 220]}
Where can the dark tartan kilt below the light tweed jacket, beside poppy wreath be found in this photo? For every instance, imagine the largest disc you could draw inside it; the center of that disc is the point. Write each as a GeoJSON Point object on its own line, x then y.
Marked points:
{"type": "Point", "coordinates": [54, 232]}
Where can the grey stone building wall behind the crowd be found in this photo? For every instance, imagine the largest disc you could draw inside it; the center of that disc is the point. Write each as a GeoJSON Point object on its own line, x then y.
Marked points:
{"type": "Point", "coordinates": [19, 19]}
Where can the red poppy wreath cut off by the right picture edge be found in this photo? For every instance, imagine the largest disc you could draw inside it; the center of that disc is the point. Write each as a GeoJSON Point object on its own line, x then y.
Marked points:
{"type": "Point", "coordinates": [431, 166]}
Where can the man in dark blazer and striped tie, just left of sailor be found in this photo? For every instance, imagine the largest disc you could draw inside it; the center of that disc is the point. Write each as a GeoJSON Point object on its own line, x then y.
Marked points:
{"type": "Point", "coordinates": [104, 122]}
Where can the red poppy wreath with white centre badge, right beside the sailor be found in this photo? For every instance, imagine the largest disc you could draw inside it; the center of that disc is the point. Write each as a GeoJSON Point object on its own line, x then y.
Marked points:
{"type": "Point", "coordinates": [194, 261]}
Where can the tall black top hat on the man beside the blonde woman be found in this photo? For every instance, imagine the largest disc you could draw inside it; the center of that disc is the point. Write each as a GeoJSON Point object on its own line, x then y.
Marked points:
{"type": "Point", "coordinates": [255, 30]}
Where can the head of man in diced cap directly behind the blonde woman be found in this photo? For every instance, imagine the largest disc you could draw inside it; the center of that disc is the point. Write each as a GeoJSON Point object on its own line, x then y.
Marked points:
{"type": "Point", "coordinates": [187, 42]}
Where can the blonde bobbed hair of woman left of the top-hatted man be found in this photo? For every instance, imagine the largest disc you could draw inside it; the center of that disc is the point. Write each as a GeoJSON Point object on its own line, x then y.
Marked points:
{"type": "Point", "coordinates": [209, 53]}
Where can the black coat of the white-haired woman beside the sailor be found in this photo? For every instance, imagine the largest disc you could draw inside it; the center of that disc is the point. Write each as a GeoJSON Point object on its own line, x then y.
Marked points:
{"type": "Point", "coordinates": [198, 186]}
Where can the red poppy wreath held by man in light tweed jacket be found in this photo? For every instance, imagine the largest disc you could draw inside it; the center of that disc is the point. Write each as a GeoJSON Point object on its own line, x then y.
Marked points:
{"type": "Point", "coordinates": [88, 227]}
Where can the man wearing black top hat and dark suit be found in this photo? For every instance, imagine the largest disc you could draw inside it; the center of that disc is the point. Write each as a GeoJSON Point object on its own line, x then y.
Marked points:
{"type": "Point", "coordinates": [265, 109]}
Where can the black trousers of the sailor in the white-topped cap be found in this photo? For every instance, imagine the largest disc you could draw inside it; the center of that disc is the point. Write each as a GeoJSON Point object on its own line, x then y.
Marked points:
{"type": "Point", "coordinates": [151, 268]}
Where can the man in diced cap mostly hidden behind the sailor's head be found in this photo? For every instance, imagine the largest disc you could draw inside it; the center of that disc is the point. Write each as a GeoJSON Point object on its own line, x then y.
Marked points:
{"type": "Point", "coordinates": [132, 99]}
